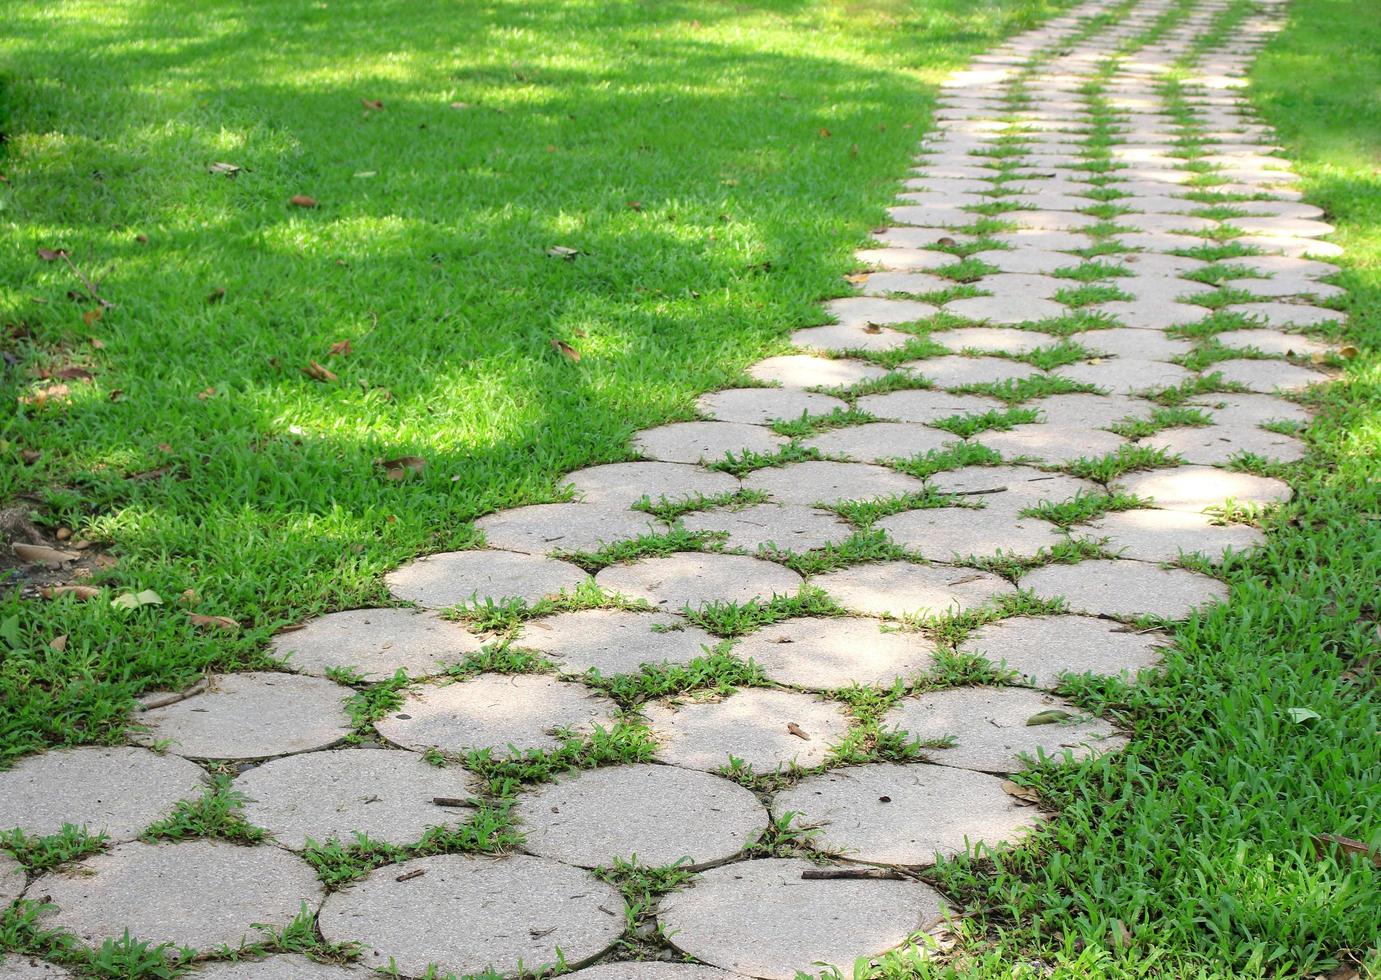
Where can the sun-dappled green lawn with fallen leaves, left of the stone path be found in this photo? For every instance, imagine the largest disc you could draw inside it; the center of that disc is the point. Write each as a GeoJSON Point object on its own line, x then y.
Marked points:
{"type": "Point", "coordinates": [427, 253]}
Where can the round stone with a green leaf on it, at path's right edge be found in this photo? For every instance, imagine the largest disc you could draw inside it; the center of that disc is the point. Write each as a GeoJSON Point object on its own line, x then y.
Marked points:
{"type": "Point", "coordinates": [991, 731]}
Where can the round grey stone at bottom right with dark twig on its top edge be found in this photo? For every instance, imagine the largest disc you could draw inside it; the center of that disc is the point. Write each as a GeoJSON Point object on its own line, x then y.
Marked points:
{"type": "Point", "coordinates": [763, 920]}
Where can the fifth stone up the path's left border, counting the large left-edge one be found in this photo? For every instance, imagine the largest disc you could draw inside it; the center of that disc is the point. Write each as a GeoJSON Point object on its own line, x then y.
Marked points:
{"type": "Point", "coordinates": [543, 529]}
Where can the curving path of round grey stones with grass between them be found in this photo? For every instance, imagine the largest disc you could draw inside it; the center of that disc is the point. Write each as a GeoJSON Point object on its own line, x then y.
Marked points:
{"type": "Point", "coordinates": [1021, 451]}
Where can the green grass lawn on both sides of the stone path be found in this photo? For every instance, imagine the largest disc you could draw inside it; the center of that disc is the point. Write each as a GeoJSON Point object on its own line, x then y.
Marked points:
{"type": "Point", "coordinates": [715, 166]}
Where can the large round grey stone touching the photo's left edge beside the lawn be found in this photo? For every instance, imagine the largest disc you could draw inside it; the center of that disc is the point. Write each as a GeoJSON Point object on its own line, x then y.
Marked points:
{"type": "Point", "coordinates": [113, 792]}
